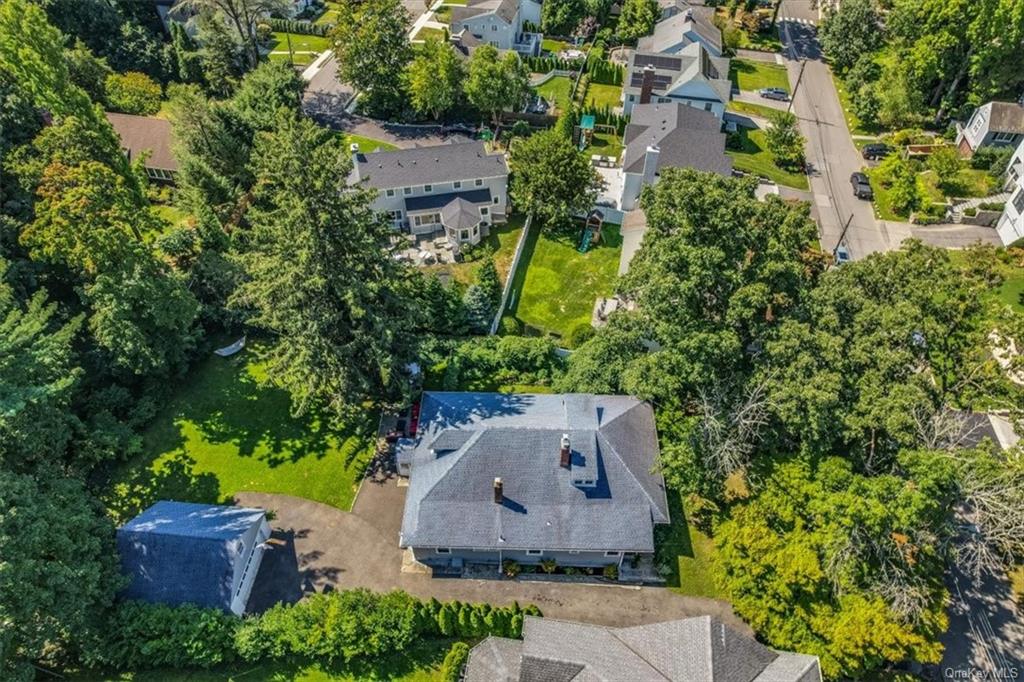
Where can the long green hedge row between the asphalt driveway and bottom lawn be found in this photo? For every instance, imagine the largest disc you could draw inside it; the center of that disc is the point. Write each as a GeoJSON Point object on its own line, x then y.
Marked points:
{"type": "Point", "coordinates": [328, 628]}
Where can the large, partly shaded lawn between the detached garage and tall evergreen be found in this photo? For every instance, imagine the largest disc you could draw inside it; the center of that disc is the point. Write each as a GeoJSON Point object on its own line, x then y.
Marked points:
{"type": "Point", "coordinates": [228, 431]}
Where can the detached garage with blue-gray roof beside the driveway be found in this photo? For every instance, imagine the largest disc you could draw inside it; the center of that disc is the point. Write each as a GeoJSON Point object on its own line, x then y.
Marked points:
{"type": "Point", "coordinates": [179, 552]}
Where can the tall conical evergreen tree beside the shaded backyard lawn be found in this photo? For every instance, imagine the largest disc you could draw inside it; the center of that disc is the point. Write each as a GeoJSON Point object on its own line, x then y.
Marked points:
{"type": "Point", "coordinates": [320, 278]}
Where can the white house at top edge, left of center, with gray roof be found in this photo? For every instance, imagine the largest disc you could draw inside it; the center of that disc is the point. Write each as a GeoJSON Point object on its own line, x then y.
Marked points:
{"type": "Point", "coordinates": [500, 23]}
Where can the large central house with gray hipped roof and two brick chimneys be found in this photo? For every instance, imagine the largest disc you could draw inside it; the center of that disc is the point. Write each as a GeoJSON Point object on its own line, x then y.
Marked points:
{"type": "Point", "coordinates": [528, 478]}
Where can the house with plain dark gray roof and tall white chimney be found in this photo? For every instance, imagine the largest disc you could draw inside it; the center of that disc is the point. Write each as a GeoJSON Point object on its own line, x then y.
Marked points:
{"type": "Point", "coordinates": [672, 136]}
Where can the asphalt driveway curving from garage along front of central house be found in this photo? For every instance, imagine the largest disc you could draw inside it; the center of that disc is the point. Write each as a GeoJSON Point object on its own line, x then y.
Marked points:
{"type": "Point", "coordinates": [318, 548]}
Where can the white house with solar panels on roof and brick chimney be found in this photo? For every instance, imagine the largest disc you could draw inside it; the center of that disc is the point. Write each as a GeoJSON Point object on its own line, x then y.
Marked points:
{"type": "Point", "coordinates": [692, 76]}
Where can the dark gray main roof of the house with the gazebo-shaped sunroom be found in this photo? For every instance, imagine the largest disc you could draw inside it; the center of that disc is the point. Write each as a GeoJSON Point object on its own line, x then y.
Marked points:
{"type": "Point", "coordinates": [428, 165]}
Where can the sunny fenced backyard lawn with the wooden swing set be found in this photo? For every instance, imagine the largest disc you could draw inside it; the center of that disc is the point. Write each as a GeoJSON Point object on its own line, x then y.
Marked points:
{"type": "Point", "coordinates": [557, 286]}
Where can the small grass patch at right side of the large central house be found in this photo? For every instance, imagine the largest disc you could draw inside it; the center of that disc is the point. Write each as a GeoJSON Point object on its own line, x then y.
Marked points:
{"type": "Point", "coordinates": [690, 555]}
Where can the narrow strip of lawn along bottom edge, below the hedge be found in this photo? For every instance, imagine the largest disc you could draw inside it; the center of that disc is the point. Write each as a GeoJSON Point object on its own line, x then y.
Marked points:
{"type": "Point", "coordinates": [420, 663]}
